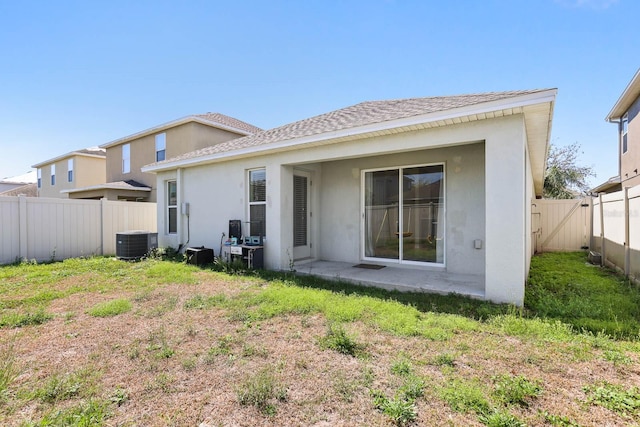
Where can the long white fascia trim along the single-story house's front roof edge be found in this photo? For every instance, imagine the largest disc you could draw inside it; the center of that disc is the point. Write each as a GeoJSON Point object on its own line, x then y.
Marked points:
{"type": "Point", "coordinates": [547, 96]}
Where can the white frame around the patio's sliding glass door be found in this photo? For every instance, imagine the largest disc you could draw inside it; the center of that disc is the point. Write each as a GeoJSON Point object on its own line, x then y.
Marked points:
{"type": "Point", "coordinates": [400, 259]}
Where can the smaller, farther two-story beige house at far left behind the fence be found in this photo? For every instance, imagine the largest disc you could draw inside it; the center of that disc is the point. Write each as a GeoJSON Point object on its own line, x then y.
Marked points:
{"type": "Point", "coordinates": [77, 169]}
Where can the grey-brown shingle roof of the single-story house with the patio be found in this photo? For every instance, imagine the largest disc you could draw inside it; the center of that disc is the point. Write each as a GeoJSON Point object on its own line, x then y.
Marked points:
{"type": "Point", "coordinates": [362, 114]}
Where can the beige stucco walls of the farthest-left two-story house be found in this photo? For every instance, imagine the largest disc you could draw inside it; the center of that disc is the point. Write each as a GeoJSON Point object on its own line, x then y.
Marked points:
{"type": "Point", "coordinates": [87, 171]}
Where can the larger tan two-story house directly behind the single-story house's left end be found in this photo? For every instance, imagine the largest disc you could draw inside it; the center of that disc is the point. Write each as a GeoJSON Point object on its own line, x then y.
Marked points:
{"type": "Point", "coordinates": [126, 156]}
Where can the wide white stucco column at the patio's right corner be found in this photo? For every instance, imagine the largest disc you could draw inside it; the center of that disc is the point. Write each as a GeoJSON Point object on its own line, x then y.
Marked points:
{"type": "Point", "coordinates": [505, 204]}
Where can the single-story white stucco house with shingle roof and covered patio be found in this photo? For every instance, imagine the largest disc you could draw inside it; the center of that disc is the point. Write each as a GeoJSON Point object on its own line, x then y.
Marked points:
{"type": "Point", "coordinates": [438, 187]}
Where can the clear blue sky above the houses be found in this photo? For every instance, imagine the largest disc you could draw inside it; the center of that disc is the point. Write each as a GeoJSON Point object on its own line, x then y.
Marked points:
{"type": "Point", "coordinates": [75, 74]}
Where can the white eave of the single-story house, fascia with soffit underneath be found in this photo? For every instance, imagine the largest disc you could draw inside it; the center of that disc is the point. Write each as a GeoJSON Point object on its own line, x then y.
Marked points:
{"type": "Point", "coordinates": [494, 109]}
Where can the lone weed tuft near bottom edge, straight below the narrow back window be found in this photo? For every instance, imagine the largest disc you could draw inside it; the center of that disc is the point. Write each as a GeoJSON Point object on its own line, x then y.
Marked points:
{"type": "Point", "coordinates": [260, 390]}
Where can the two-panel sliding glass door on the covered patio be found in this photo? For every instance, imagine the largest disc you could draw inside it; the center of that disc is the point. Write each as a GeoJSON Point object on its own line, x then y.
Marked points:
{"type": "Point", "coordinates": [404, 214]}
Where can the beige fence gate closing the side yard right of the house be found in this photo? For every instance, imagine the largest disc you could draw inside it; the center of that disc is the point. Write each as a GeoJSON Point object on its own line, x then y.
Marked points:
{"type": "Point", "coordinates": [561, 225]}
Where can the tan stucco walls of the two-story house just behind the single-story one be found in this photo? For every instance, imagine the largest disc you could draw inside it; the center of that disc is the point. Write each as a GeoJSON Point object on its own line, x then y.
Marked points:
{"type": "Point", "coordinates": [179, 140]}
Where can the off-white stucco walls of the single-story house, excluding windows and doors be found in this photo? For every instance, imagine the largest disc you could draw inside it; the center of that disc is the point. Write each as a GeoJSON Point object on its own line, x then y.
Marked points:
{"type": "Point", "coordinates": [497, 215]}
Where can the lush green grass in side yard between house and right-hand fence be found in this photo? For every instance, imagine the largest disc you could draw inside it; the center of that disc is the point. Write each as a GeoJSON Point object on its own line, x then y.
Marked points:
{"type": "Point", "coordinates": [563, 286]}
